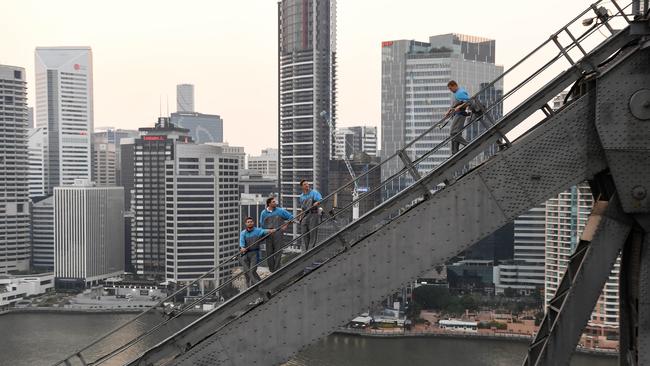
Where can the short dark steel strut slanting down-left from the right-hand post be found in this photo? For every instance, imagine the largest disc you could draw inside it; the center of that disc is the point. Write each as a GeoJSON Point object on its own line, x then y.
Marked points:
{"type": "Point", "coordinates": [607, 228]}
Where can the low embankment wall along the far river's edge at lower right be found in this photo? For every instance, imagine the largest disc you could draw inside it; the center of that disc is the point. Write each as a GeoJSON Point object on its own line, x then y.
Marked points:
{"type": "Point", "coordinates": [520, 338]}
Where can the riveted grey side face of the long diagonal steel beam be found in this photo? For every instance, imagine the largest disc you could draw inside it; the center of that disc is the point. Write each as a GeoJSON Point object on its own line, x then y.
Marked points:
{"type": "Point", "coordinates": [563, 151]}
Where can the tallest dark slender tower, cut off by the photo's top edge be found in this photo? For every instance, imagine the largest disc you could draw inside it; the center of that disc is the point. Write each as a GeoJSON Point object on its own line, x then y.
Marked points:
{"type": "Point", "coordinates": [307, 94]}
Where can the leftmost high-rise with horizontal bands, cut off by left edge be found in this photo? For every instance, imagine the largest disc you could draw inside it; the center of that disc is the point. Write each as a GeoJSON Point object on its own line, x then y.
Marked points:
{"type": "Point", "coordinates": [14, 197]}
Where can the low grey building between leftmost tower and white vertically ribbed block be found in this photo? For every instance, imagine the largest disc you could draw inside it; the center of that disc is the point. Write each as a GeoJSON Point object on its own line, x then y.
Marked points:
{"type": "Point", "coordinates": [43, 233]}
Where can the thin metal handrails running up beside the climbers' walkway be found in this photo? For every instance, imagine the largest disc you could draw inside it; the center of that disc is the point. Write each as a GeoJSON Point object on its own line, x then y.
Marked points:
{"type": "Point", "coordinates": [399, 173]}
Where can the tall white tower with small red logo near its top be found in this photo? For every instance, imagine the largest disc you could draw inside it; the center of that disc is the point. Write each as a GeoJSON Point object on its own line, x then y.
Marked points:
{"type": "Point", "coordinates": [64, 108]}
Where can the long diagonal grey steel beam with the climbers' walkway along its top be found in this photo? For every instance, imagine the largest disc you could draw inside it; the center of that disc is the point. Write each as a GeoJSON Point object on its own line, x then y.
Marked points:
{"type": "Point", "coordinates": [387, 253]}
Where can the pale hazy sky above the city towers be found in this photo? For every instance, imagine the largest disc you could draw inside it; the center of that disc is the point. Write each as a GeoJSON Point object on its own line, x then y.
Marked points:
{"type": "Point", "coordinates": [216, 58]}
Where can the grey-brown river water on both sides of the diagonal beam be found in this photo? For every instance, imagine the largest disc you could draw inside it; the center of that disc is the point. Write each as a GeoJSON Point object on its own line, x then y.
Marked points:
{"type": "Point", "coordinates": [42, 339]}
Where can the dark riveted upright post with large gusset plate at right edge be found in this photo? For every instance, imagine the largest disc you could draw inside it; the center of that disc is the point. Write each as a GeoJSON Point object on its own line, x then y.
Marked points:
{"type": "Point", "coordinates": [623, 125]}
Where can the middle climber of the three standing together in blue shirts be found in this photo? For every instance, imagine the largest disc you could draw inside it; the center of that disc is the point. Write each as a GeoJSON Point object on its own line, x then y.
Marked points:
{"type": "Point", "coordinates": [274, 217]}
